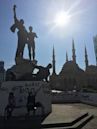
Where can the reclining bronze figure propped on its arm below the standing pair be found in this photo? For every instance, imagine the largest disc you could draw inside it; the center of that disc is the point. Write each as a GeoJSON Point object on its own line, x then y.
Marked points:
{"type": "Point", "coordinates": [42, 75]}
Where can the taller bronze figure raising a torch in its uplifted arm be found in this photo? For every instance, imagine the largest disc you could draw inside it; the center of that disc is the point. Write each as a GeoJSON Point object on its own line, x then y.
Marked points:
{"type": "Point", "coordinates": [22, 33]}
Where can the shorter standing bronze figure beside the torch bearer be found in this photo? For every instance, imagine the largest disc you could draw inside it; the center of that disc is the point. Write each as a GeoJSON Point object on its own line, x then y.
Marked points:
{"type": "Point", "coordinates": [31, 43]}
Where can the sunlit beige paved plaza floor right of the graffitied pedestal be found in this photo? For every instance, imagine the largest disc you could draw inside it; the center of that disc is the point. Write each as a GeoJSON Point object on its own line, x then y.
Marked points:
{"type": "Point", "coordinates": [62, 113]}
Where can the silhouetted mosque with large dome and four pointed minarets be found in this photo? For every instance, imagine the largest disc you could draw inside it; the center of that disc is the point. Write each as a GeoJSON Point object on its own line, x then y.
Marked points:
{"type": "Point", "coordinates": [72, 77]}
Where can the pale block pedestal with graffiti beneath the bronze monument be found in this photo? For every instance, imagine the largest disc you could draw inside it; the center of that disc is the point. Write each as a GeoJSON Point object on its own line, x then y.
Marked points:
{"type": "Point", "coordinates": [21, 90]}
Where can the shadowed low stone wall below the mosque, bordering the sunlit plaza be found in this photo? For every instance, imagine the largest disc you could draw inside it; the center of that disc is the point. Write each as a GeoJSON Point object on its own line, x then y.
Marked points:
{"type": "Point", "coordinates": [87, 98]}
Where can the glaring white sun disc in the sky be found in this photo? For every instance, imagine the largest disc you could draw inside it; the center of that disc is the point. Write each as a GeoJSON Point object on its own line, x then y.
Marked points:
{"type": "Point", "coordinates": [62, 18]}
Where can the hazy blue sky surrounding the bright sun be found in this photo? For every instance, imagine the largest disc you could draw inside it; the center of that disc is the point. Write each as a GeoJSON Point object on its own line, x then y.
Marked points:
{"type": "Point", "coordinates": [40, 14]}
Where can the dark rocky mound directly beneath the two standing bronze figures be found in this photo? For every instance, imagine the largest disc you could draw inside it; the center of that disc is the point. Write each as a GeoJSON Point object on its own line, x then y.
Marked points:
{"type": "Point", "coordinates": [22, 67]}
